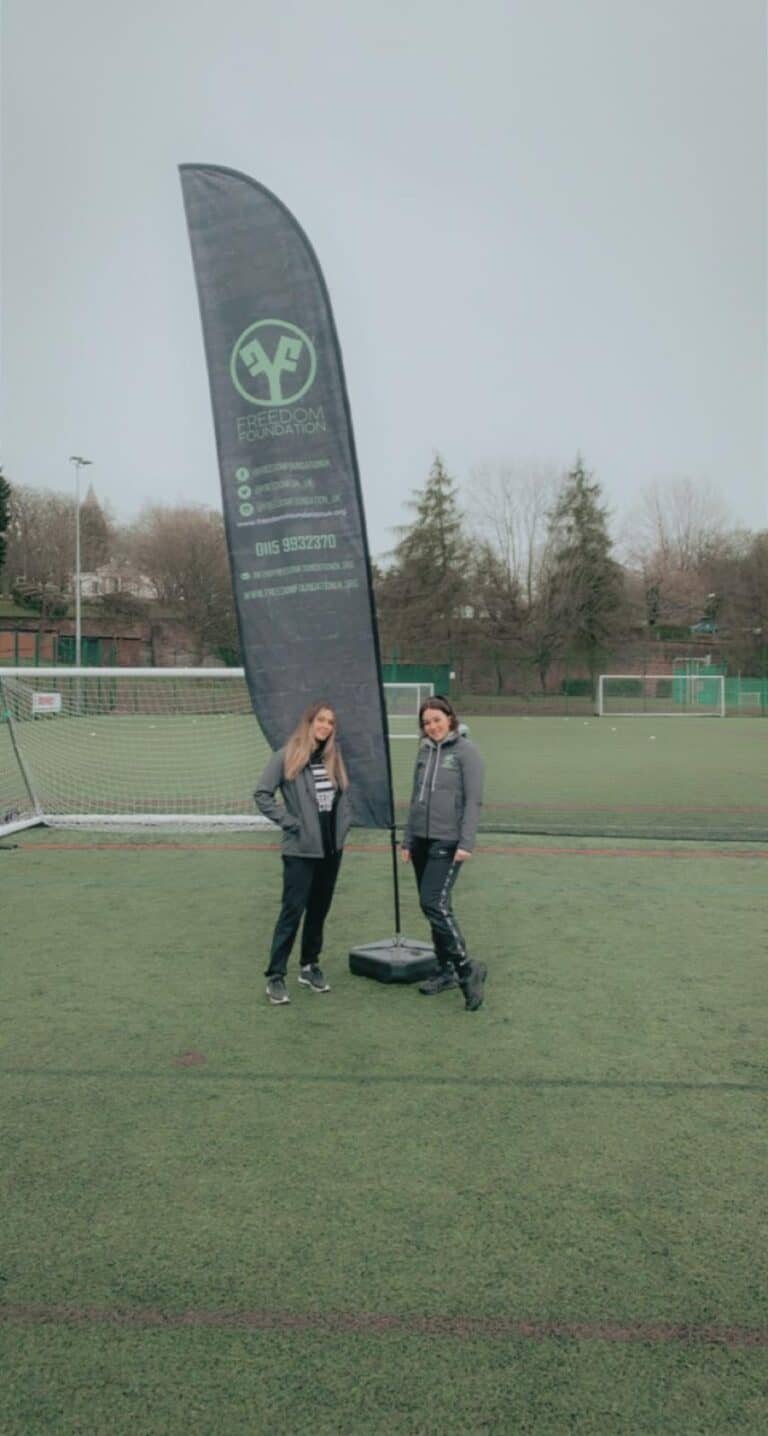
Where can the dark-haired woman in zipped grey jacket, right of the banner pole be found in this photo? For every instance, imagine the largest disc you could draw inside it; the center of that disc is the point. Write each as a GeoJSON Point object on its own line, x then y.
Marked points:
{"type": "Point", "coordinates": [440, 836]}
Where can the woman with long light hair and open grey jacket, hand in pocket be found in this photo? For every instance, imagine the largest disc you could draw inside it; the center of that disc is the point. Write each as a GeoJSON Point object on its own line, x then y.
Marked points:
{"type": "Point", "coordinates": [315, 819]}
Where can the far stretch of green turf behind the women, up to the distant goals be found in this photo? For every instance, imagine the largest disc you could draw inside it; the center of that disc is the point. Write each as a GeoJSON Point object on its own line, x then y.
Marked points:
{"type": "Point", "coordinates": [698, 779]}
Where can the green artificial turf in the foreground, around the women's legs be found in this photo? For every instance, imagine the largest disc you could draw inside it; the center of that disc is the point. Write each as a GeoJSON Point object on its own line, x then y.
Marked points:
{"type": "Point", "coordinates": [586, 1152]}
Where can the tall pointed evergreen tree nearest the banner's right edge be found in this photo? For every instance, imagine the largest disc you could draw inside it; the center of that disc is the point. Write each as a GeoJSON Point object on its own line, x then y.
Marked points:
{"type": "Point", "coordinates": [423, 597]}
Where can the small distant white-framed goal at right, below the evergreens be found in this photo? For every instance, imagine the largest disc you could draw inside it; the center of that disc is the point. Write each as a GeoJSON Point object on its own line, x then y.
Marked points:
{"type": "Point", "coordinates": [661, 696]}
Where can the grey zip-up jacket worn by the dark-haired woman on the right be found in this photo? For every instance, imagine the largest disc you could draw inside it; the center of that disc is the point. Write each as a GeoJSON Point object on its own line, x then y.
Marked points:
{"type": "Point", "coordinates": [447, 793]}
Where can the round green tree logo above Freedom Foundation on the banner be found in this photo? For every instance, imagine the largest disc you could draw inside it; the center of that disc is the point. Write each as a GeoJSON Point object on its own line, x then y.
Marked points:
{"type": "Point", "coordinates": [273, 364]}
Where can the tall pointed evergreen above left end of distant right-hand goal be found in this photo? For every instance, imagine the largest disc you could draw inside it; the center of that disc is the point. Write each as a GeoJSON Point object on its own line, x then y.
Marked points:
{"type": "Point", "coordinates": [585, 585]}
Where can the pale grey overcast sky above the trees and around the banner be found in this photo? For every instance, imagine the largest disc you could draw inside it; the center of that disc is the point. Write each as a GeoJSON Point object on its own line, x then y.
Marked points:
{"type": "Point", "coordinates": [542, 223]}
